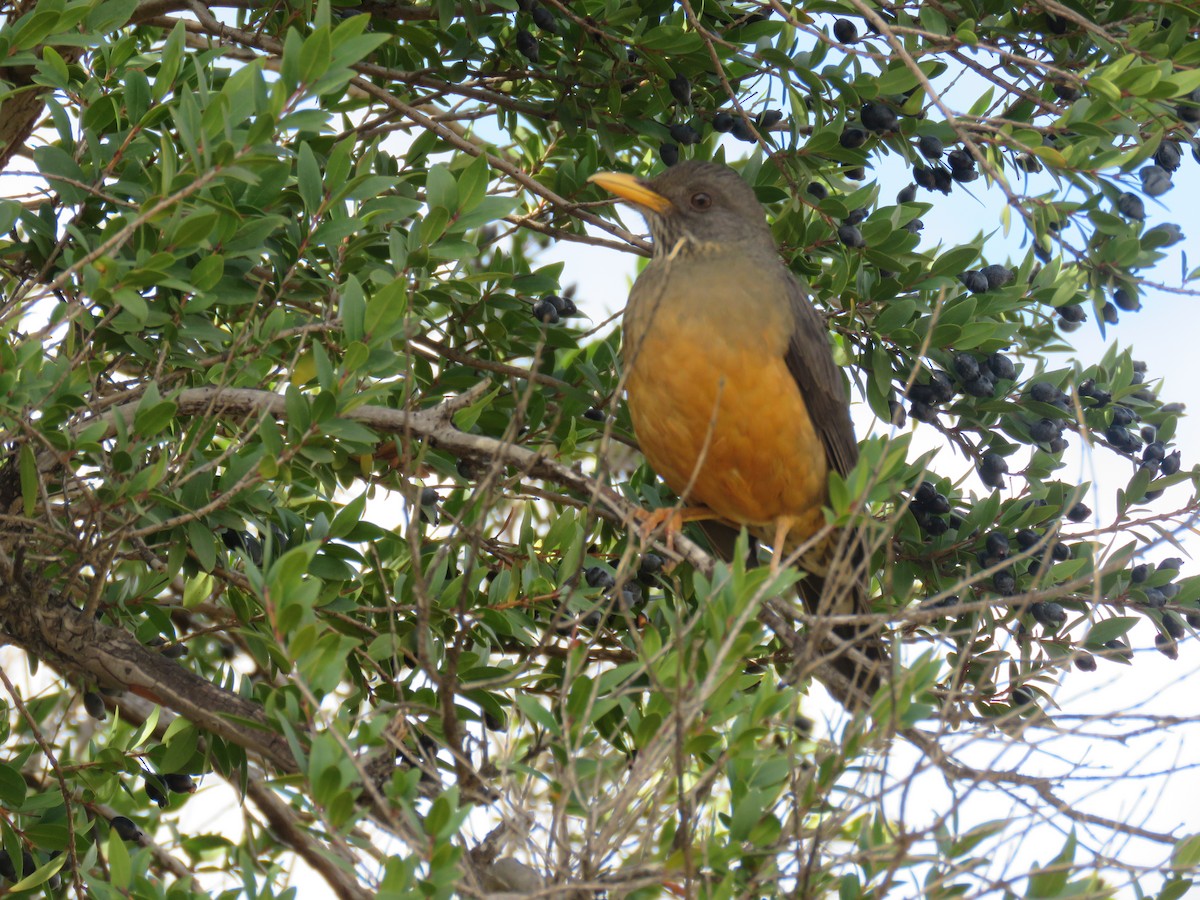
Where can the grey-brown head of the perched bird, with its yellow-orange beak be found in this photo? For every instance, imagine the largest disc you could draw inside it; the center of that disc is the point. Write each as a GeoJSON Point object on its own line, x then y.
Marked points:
{"type": "Point", "coordinates": [703, 205]}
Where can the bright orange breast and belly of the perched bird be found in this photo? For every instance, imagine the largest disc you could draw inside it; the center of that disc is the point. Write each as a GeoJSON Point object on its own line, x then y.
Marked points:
{"type": "Point", "coordinates": [721, 418]}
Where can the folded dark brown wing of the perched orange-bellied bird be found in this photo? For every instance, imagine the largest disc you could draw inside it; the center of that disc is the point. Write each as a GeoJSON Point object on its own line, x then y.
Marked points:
{"type": "Point", "coordinates": [811, 362]}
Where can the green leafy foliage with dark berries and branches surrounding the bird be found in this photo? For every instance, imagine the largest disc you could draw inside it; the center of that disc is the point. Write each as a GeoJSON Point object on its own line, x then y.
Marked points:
{"type": "Point", "coordinates": [316, 483]}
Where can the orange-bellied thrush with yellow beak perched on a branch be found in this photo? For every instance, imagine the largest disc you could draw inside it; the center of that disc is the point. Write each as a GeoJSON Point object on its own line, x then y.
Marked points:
{"type": "Point", "coordinates": [734, 392]}
